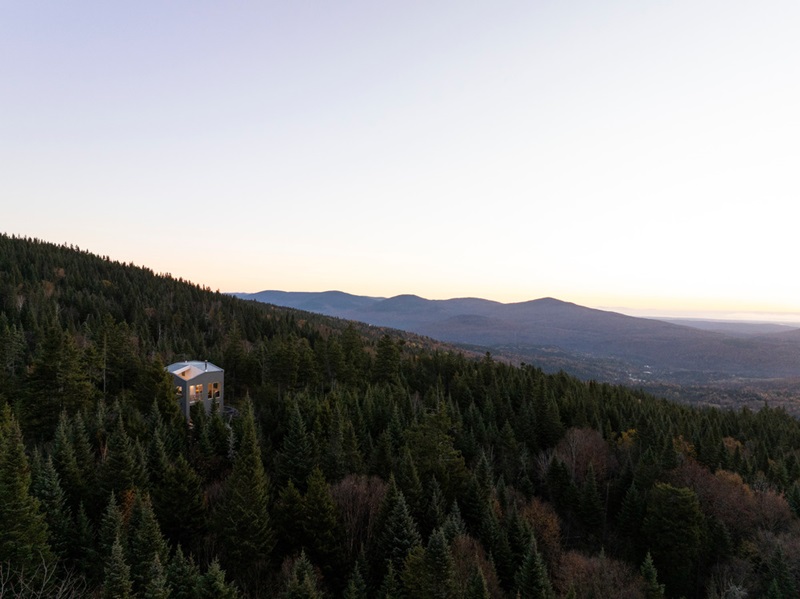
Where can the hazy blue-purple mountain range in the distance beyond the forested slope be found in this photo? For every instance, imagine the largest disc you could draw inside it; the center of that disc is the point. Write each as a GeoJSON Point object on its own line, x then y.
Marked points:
{"type": "Point", "coordinates": [585, 341]}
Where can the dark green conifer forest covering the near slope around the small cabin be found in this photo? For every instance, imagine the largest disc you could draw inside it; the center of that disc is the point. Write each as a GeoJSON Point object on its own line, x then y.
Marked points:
{"type": "Point", "coordinates": [363, 463]}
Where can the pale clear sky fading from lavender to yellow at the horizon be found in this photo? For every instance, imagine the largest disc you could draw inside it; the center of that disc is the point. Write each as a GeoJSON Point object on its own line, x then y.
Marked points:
{"type": "Point", "coordinates": [640, 156]}
